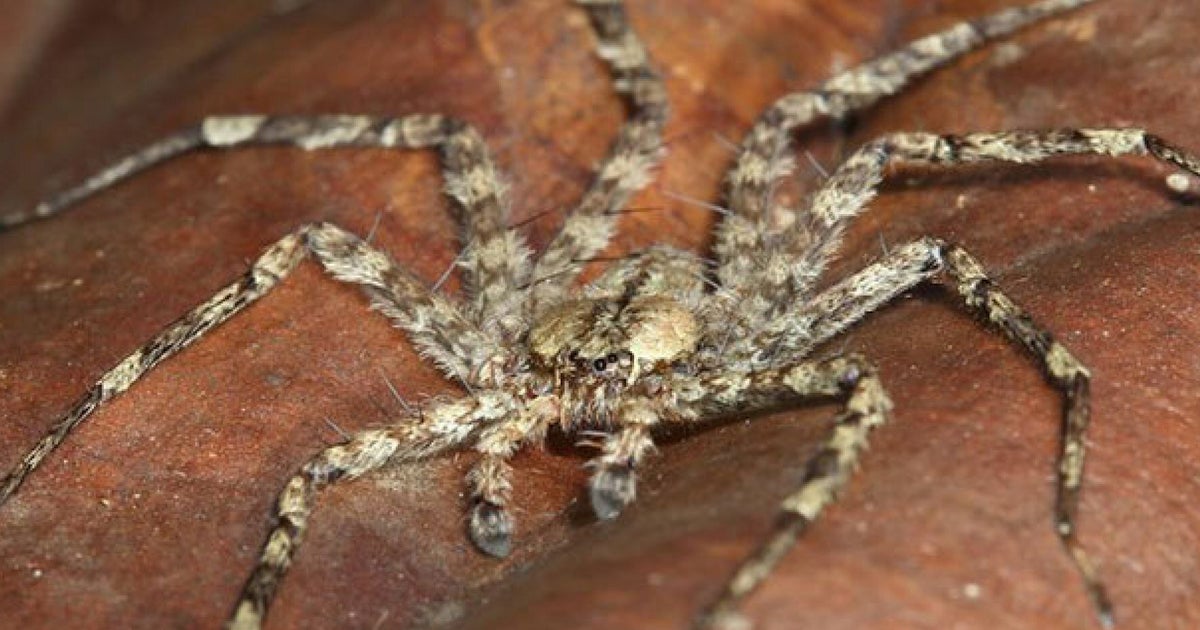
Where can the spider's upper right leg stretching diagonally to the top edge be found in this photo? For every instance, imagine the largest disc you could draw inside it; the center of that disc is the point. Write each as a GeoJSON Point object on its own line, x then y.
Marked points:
{"type": "Point", "coordinates": [765, 153]}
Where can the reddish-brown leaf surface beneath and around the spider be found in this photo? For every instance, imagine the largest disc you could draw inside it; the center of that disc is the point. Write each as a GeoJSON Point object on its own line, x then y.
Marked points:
{"type": "Point", "coordinates": [154, 512]}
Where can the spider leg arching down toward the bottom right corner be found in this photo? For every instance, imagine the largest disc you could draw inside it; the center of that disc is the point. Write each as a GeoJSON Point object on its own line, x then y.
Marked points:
{"type": "Point", "coordinates": [904, 268]}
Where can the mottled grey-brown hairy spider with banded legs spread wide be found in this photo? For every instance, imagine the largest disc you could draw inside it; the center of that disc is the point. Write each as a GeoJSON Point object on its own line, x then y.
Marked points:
{"type": "Point", "coordinates": [658, 339]}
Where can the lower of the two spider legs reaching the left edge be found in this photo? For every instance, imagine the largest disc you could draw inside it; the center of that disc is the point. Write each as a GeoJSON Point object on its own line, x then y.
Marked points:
{"type": "Point", "coordinates": [435, 325]}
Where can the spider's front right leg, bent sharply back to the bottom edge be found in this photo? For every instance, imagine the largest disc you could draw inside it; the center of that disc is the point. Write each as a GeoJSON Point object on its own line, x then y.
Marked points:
{"type": "Point", "coordinates": [826, 472]}
